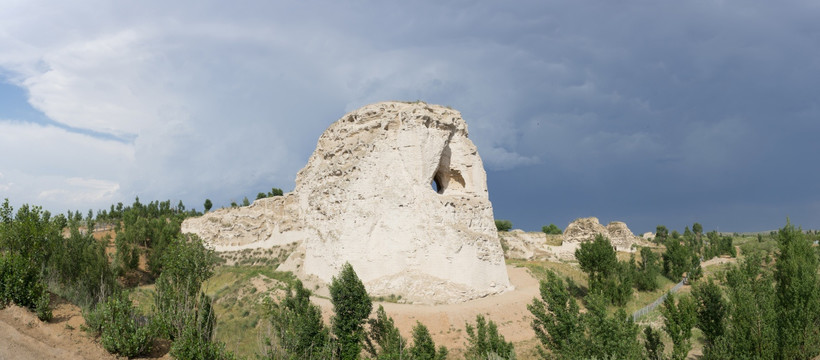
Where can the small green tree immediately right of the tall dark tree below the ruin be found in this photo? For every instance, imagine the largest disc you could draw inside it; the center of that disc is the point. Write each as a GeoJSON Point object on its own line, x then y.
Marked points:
{"type": "Point", "coordinates": [384, 342]}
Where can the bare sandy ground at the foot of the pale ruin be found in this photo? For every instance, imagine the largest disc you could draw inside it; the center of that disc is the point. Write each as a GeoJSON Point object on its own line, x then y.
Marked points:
{"type": "Point", "coordinates": [447, 322]}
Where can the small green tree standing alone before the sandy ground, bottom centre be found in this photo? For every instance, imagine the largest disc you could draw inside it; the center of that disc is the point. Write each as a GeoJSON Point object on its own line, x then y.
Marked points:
{"type": "Point", "coordinates": [484, 341]}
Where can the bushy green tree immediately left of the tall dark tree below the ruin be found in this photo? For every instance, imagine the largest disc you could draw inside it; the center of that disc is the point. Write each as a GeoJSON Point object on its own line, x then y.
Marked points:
{"type": "Point", "coordinates": [297, 326]}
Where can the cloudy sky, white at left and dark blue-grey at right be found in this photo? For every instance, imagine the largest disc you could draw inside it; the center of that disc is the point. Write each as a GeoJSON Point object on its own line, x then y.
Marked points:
{"type": "Point", "coordinates": [647, 112]}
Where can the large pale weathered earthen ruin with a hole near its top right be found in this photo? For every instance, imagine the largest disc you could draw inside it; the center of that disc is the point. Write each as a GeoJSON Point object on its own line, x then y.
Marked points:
{"type": "Point", "coordinates": [396, 189]}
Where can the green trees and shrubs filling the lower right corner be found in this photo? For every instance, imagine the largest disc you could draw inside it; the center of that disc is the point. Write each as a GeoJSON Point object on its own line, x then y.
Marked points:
{"type": "Point", "coordinates": [763, 308]}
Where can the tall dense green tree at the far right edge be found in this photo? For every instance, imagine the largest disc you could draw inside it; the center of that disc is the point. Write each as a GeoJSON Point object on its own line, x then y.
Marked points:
{"type": "Point", "coordinates": [798, 295]}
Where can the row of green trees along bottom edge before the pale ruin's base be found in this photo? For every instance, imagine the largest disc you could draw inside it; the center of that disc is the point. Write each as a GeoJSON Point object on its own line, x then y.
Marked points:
{"type": "Point", "coordinates": [299, 332]}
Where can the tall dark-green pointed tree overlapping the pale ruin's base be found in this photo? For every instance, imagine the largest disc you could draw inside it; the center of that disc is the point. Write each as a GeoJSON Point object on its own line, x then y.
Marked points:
{"type": "Point", "coordinates": [352, 306]}
